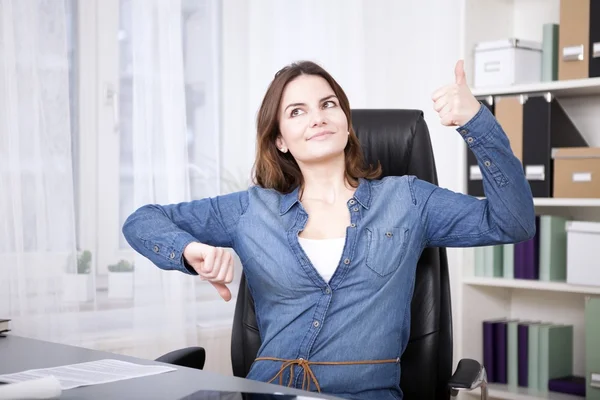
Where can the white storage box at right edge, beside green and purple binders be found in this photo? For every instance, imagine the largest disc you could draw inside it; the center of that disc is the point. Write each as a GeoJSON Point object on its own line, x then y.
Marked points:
{"type": "Point", "coordinates": [583, 263]}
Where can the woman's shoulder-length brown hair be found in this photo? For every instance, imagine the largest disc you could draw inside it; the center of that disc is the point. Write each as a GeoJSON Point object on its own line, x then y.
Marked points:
{"type": "Point", "coordinates": [276, 170]}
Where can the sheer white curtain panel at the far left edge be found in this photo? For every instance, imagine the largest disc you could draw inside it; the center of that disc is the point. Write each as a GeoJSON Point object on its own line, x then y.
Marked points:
{"type": "Point", "coordinates": [37, 215]}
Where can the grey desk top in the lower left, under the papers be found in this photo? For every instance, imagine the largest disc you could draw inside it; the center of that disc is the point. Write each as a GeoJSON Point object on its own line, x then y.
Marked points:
{"type": "Point", "coordinates": [20, 354]}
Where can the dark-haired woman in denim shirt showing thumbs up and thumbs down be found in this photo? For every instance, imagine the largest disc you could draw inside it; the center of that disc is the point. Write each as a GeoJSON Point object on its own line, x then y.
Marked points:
{"type": "Point", "coordinates": [328, 249]}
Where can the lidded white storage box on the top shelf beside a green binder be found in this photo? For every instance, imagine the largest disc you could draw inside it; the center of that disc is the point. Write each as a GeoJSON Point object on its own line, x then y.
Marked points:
{"type": "Point", "coordinates": [507, 62]}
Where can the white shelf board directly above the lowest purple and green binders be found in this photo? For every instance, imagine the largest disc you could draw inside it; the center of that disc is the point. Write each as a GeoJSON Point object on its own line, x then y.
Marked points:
{"type": "Point", "coordinates": [531, 285]}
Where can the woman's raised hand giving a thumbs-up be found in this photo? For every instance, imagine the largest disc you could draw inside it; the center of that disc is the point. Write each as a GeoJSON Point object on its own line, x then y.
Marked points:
{"type": "Point", "coordinates": [455, 103]}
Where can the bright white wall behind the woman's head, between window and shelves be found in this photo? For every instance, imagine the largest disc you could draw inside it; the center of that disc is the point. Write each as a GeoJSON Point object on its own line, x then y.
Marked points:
{"type": "Point", "coordinates": [385, 54]}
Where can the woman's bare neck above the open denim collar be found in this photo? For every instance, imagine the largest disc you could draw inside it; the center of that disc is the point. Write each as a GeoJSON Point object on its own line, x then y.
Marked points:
{"type": "Point", "coordinates": [326, 181]}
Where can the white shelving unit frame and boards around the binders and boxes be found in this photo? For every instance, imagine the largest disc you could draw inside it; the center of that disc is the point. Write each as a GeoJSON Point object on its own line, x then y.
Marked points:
{"type": "Point", "coordinates": [476, 299]}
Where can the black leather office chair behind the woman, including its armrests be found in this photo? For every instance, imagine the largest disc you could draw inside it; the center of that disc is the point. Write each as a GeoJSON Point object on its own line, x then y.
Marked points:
{"type": "Point", "coordinates": [400, 140]}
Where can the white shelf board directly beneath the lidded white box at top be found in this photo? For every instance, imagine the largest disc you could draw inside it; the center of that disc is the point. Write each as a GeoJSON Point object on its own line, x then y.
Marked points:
{"type": "Point", "coordinates": [570, 88]}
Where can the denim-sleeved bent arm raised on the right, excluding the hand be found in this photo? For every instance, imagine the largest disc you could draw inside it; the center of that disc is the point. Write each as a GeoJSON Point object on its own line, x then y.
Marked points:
{"type": "Point", "coordinates": [506, 215]}
